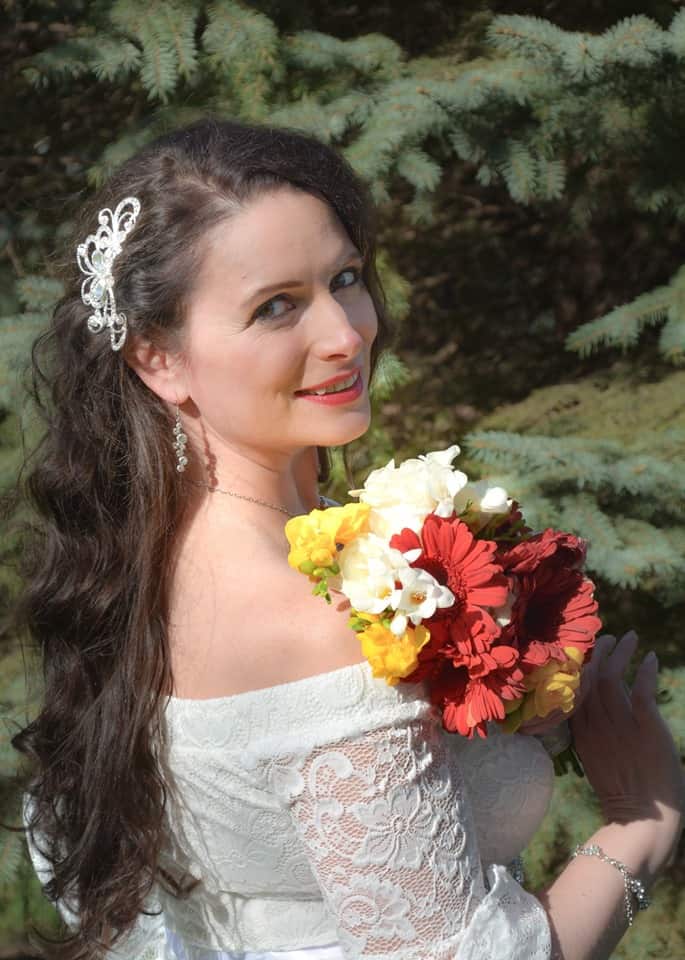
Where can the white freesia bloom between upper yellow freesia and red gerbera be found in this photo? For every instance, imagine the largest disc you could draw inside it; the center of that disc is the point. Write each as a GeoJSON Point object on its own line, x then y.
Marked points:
{"type": "Point", "coordinates": [369, 569]}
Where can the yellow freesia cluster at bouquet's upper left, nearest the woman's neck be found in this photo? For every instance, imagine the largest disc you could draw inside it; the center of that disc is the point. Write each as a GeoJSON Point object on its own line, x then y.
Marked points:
{"type": "Point", "coordinates": [313, 537]}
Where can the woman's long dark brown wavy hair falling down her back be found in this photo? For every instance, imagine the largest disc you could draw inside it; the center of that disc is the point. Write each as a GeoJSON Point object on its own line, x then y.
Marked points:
{"type": "Point", "coordinates": [107, 501]}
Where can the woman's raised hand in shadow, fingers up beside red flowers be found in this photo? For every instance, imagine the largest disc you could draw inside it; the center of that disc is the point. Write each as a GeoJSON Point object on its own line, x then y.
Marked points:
{"type": "Point", "coordinates": [626, 747]}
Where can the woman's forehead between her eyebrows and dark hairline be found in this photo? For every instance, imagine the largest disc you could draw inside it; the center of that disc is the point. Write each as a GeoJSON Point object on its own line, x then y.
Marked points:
{"type": "Point", "coordinates": [275, 236]}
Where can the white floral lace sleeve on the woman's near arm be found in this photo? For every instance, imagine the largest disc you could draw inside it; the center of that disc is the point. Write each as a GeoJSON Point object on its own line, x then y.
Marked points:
{"type": "Point", "coordinates": [389, 831]}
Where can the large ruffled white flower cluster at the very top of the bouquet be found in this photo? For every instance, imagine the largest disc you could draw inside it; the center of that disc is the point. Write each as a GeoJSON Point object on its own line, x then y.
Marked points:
{"type": "Point", "coordinates": [403, 496]}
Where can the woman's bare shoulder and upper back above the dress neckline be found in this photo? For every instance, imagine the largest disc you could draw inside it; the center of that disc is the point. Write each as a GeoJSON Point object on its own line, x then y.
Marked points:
{"type": "Point", "coordinates": [243, 619]}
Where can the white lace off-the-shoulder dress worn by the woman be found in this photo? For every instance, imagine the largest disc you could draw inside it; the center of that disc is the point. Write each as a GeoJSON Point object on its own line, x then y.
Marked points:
{"type": "Point", "coordinates": [332, 818]}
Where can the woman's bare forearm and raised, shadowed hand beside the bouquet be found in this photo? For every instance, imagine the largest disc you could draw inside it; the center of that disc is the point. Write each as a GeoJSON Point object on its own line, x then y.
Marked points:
{"type": "Point", "coordinates": [633, 765]}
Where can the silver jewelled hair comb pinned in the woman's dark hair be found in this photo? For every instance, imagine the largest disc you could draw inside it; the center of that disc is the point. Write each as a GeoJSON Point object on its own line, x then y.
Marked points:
{"type": "Point", "coordinates": [95, 257]}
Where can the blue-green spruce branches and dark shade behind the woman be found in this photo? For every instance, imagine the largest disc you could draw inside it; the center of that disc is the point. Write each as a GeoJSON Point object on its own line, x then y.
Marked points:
{"type": "Point", "coordinates": [527, 162]}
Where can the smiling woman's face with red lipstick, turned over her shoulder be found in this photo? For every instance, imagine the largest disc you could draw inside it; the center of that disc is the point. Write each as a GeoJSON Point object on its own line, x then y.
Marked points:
{"type": "Point", "coordinates": [280, 308]}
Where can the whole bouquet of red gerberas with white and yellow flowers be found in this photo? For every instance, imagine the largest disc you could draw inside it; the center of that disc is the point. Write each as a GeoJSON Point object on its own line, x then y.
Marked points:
{"type": "Point", "coordinates": [449, 586]}
